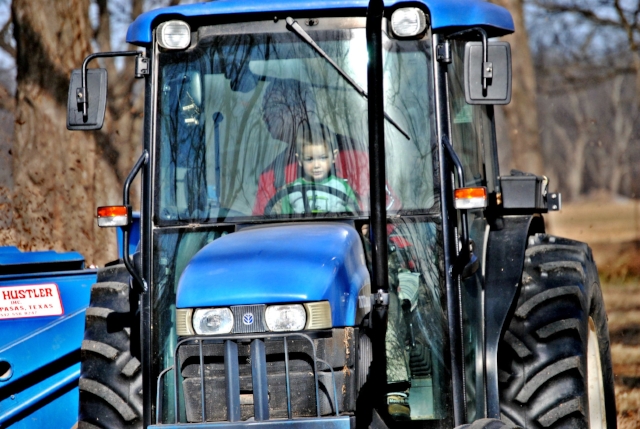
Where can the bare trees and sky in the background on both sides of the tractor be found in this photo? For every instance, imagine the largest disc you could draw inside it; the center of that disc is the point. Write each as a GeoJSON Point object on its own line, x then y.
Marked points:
{"type": "Point", "coordinates": [573, 116]}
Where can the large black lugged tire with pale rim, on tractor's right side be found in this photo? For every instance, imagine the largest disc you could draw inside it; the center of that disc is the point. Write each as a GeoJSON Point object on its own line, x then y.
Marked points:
{"type": "Point", "coordinates": [554, 361]}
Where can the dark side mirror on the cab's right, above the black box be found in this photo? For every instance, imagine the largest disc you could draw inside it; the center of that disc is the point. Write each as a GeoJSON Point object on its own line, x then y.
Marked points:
{"type": "Point", "coordinates": [495, 70]}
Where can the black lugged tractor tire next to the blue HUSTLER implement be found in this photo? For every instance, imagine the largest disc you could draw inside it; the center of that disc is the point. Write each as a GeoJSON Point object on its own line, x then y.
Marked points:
{"type": "Point", "coordinates": [111, 377]}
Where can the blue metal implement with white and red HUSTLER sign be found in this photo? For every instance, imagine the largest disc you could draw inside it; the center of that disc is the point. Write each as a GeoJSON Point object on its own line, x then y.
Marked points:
{"type": "Point", "coordinates": [41, 331]}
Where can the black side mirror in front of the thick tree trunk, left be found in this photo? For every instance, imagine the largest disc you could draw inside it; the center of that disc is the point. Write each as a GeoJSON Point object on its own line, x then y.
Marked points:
{"type": "Point", "coordinates": [96, 100]}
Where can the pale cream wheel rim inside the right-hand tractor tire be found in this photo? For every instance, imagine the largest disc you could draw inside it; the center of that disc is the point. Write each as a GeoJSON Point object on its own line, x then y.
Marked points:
{"type": "Point", "coordinates": [597, 412]}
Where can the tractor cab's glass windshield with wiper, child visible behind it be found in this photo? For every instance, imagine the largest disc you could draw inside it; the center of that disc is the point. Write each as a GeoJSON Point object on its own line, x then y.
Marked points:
{"type": "Point", "coordinates": [259, 125]}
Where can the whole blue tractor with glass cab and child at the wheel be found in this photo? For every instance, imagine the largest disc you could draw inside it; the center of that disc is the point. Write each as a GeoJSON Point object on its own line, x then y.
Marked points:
{"type": "Point", "coordinates": [326, 239]}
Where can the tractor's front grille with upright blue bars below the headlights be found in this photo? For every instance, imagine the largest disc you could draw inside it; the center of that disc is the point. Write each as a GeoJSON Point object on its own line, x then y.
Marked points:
{"type": "Point", "coordinates": [247, 376]}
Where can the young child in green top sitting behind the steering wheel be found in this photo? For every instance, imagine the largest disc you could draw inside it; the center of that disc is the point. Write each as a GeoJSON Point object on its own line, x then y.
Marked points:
{"type": "Point", "coordinates": [316, 155]}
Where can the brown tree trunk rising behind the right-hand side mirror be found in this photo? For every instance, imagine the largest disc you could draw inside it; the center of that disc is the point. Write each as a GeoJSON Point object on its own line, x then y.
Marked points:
{"type": "Point", "coordinates": [521, 114]}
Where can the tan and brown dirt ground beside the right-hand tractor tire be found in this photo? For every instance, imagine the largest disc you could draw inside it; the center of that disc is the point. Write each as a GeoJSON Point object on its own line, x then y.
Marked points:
{"type": "Point", "coordinates": [612, 229]}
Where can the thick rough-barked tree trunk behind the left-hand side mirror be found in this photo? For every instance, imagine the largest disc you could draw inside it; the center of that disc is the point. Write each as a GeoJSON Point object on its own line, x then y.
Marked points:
{"type": "Point", "coordinates": [54, 169]}
